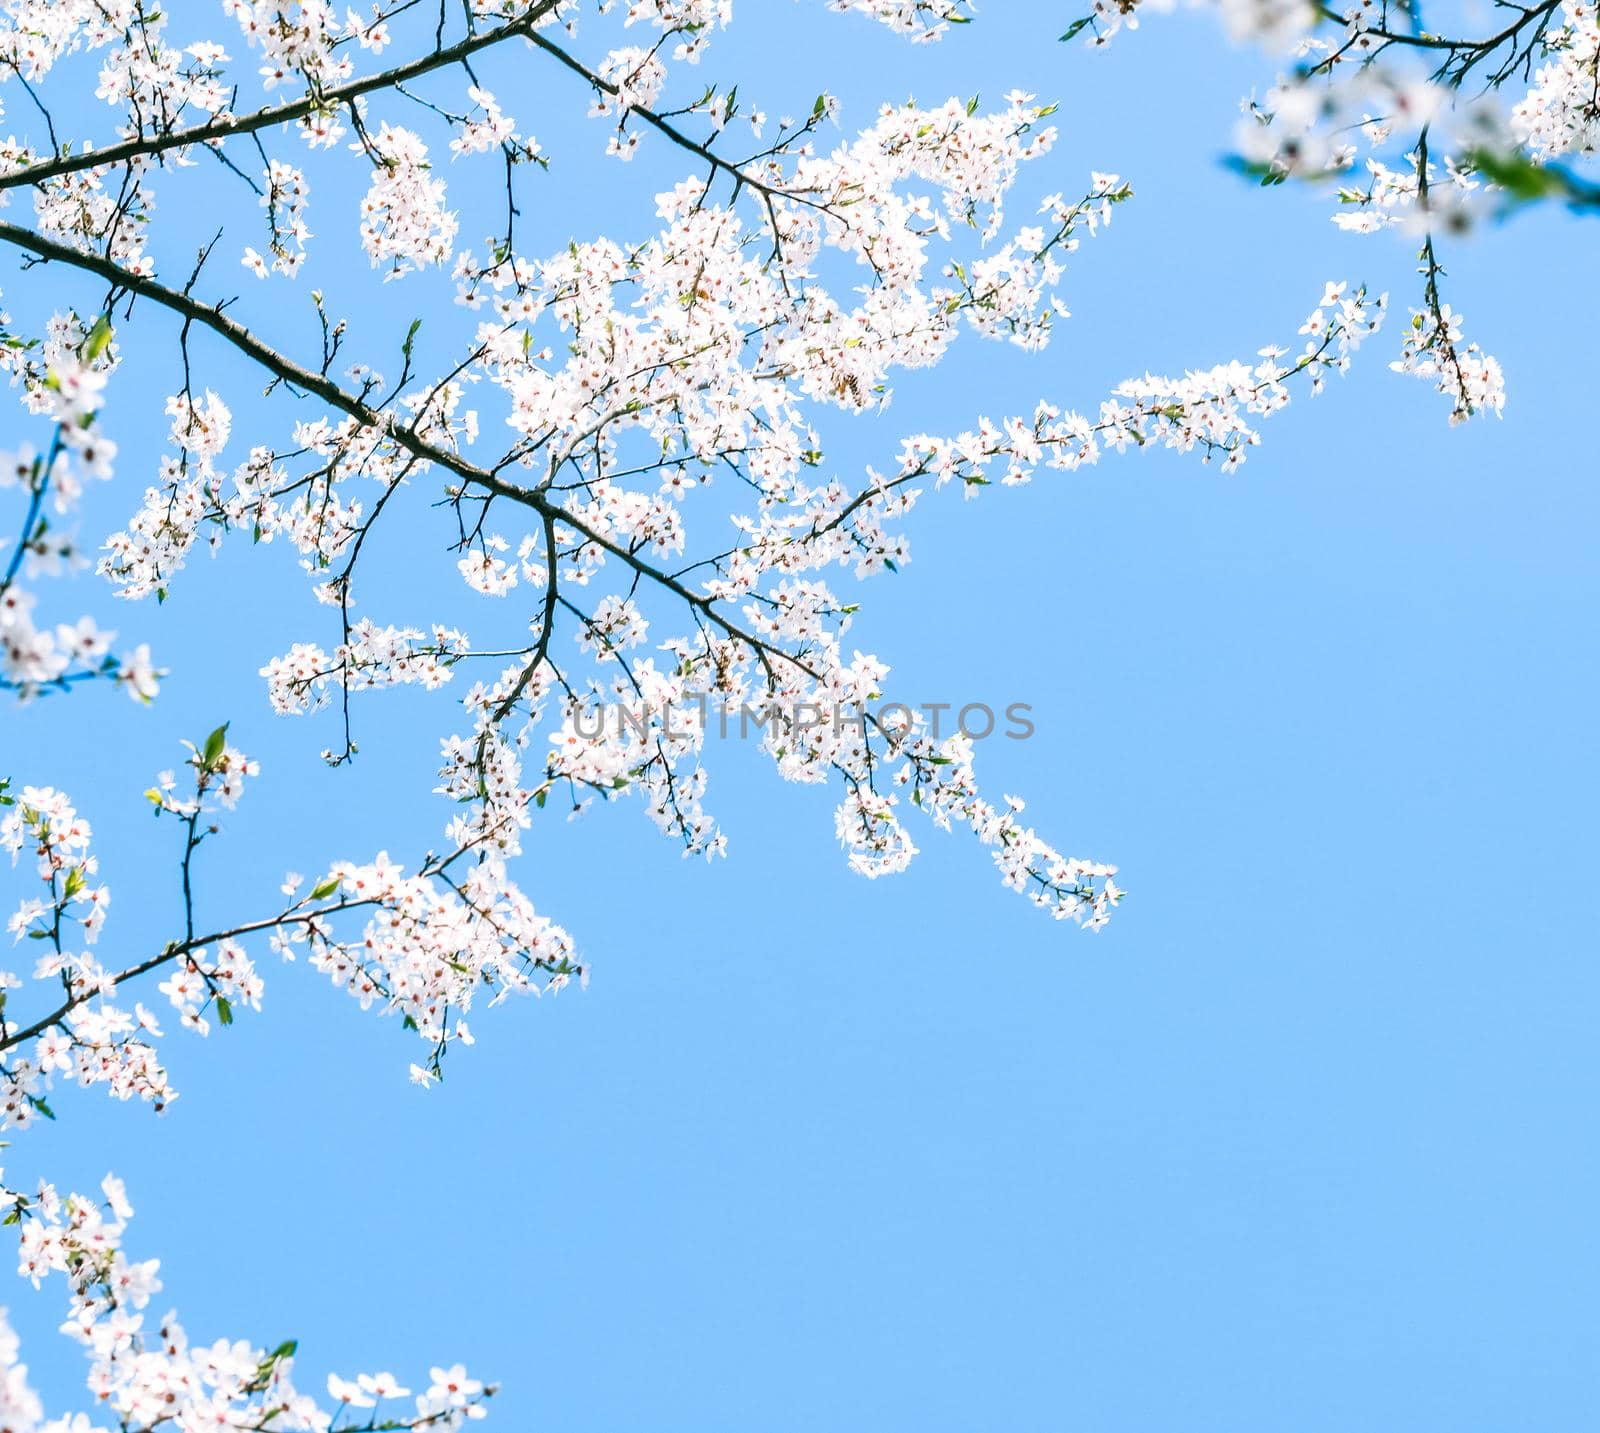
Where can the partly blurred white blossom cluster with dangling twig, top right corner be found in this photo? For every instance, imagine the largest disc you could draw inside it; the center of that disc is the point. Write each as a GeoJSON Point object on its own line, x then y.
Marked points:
{"type": "Point", "coordinates": [1420, 130]}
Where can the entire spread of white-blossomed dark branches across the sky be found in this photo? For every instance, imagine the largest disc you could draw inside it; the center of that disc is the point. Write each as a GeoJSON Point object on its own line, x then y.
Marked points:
{"type": "Point", "coordinates": [622, 436]}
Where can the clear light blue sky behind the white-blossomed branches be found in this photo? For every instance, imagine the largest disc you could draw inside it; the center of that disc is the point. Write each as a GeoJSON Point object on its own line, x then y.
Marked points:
{"type": "Point", "coordinates": [1305, 1141]}
